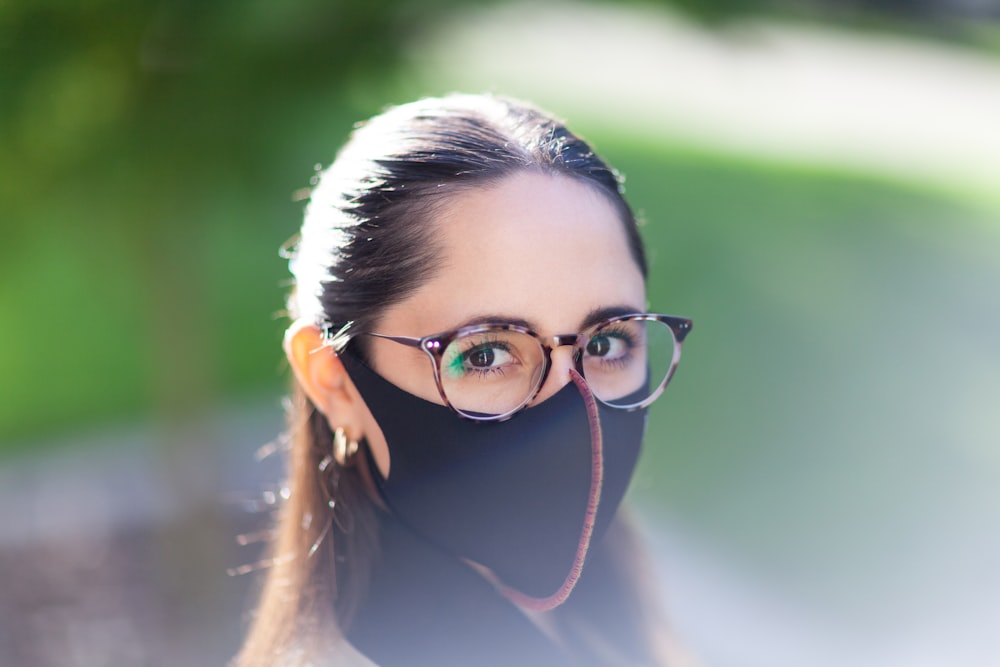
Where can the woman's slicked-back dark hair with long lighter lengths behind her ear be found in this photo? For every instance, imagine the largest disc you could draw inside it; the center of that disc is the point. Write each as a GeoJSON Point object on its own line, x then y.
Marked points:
{"type": "Point", "coordinates": [365, 245]}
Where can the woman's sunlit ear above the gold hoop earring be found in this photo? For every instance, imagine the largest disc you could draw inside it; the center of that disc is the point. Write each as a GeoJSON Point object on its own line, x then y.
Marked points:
{"type": "Point", "coordinates": [323, 377]}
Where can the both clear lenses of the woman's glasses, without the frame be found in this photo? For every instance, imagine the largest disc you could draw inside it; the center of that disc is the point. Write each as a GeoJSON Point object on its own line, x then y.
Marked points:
{"type": "Point", "coordinates": [494, 372]}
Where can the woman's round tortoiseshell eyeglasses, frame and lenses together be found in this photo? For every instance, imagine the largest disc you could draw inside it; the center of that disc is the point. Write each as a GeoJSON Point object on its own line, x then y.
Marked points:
{"type": "Point", "coordinates": [489, 372]}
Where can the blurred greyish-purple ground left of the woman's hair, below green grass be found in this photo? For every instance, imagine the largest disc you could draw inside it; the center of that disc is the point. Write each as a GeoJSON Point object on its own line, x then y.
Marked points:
{"type": "Point", "coordinates": [112, 552]}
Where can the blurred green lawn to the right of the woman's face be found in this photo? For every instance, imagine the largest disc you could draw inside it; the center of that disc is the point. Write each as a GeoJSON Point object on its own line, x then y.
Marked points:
{"type": "Point", "coordinates": [837, 394]}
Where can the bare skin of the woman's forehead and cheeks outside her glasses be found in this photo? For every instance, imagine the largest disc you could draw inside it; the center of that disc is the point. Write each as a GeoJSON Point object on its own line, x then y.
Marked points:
{"type": "Point", "coordinates": [541, 250]}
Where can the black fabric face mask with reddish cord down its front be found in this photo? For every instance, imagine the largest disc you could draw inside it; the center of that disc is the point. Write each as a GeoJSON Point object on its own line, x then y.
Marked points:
{"type": "Point", "coordinates": [524, 498]}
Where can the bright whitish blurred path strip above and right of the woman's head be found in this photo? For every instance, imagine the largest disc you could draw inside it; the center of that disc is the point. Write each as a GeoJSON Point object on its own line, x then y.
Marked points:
{"type": "Point", "coordinates": [885, 104]}
